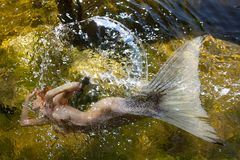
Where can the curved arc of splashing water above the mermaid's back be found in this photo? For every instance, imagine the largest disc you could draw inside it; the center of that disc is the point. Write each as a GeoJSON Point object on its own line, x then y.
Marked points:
{"type": "Point", "coordinates": [112, 40]}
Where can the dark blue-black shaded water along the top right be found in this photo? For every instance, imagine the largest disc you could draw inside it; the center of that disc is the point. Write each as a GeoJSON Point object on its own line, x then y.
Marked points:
{"type": "Point", "coordinates": [161, 19]}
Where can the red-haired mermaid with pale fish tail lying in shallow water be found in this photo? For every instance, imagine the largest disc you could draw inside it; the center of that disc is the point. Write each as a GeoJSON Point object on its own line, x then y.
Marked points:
{"type": "Point", "coordinates": [171, 96]}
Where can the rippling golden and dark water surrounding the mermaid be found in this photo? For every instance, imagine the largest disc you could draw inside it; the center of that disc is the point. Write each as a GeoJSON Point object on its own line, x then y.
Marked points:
{"type": "Point", "coordinates": [33, 54]}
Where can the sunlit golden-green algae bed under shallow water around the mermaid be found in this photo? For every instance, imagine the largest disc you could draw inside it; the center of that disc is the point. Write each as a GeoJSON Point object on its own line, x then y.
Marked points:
{"type": "Point", "coordinates": [22, 52]}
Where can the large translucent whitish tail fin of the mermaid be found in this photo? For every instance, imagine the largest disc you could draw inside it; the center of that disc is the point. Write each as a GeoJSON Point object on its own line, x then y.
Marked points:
{"type": "Point", "coordinates": [177, 87]}
